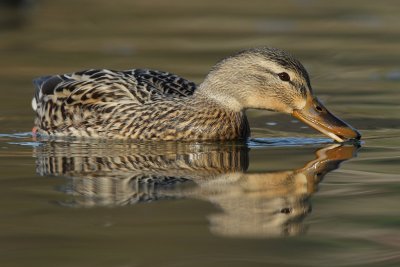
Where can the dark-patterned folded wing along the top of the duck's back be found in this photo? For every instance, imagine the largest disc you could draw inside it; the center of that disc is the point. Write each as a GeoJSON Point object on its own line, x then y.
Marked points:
{"type": "Point", "coordinates": [138, 85]}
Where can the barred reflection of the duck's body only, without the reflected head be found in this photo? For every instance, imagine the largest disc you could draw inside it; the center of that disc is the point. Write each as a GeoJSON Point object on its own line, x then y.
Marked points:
{"type": "Point", "coordinates": [128, 173]}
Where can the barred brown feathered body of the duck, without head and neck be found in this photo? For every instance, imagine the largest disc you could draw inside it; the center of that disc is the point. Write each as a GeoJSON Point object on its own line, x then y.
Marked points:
{"type": "Point", "coordinates": [132, 104]}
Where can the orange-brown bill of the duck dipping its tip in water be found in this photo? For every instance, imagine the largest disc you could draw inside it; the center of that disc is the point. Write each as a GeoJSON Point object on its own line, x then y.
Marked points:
{"type": "Point", "coordinates": [317, 116]}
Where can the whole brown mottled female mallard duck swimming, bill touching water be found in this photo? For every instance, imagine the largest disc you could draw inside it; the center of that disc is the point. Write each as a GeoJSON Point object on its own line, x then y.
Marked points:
{"type": "Point", "coordinates": [155, 105]}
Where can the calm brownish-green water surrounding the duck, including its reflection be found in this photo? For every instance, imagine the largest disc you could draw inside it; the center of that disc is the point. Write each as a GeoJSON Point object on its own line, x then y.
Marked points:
{"type": "Point", "coordinates": [287, 197]}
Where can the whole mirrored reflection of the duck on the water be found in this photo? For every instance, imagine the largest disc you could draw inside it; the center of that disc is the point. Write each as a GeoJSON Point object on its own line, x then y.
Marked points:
{"type": "Point", "coordinates": [252, 204]}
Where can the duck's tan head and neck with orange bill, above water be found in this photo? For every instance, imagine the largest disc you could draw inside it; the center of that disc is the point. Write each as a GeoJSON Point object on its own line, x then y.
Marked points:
{"type": "Point", "coordinates": [271, 79]}
